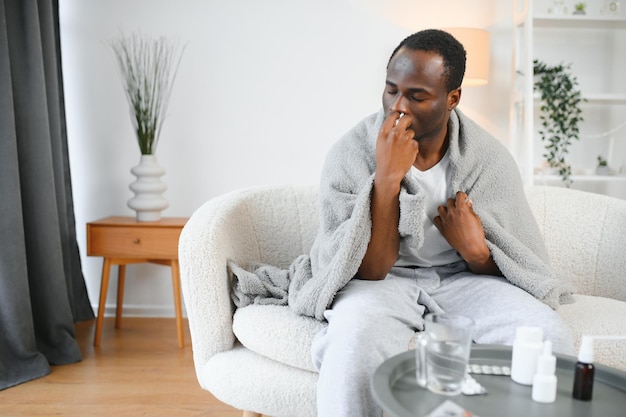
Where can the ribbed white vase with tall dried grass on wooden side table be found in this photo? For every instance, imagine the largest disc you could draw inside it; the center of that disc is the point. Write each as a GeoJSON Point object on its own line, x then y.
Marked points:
{"type": "Point", "coordinates": [148, 67]}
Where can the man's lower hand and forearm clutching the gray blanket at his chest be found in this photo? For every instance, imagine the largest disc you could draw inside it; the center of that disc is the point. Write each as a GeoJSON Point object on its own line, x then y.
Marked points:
{"type": "Point", "coordinates": [461, 227]}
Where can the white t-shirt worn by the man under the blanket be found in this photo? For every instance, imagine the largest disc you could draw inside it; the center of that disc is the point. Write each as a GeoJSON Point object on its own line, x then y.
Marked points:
{"type": "Point", "coordinates": [435, 251]}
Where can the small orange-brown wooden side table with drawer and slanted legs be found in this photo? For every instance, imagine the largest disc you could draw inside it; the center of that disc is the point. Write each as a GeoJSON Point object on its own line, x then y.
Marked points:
{"type": "Point", "coordinates": [122, 241]}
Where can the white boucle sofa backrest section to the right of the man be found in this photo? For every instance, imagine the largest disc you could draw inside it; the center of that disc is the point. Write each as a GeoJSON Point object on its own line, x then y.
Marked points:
{"type": "Point", "coordinates": [585, 235]}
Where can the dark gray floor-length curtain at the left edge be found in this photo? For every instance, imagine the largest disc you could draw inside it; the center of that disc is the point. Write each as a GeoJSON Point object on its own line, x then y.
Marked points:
{"type": "Point", "coordinates": [42, 289]}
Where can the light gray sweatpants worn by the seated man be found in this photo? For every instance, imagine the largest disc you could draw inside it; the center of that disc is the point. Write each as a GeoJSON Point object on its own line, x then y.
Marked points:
{"type": "Point", "coordinates": [370, 321]}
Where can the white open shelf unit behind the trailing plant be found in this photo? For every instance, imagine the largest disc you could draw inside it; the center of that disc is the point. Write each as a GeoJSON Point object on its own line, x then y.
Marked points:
{"type": "Point", "coordinates": [595, 46]}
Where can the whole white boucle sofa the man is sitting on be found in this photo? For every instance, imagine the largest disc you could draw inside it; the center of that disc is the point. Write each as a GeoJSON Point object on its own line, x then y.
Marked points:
{"type": "Point", "coordinates": [257, 358]}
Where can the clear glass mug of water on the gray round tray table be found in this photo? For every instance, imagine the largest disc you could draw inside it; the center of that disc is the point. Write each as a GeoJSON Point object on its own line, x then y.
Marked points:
{"type": "Point", "coordinates": [442, 352]}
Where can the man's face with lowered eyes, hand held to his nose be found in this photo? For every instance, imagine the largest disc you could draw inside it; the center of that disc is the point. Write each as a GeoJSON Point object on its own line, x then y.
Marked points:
{"type": "Point", "coordinates": [415, 86]}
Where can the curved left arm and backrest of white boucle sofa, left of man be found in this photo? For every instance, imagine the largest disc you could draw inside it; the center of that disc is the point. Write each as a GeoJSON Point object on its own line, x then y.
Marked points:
{"type": "Point", "coordinates": [270, 224]}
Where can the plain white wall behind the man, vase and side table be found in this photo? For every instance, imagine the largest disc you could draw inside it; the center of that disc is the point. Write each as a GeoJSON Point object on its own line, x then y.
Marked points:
{"type": "Point", "coordinates": [263, 90]}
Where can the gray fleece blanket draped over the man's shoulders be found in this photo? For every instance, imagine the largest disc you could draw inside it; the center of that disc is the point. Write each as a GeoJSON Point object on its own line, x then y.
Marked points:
{"type": "Point", "coordinates": [481, 167]}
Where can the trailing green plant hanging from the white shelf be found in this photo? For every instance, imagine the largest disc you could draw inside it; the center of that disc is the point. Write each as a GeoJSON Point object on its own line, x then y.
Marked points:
{"type": "Point", "coordinates": [560, 113]}
